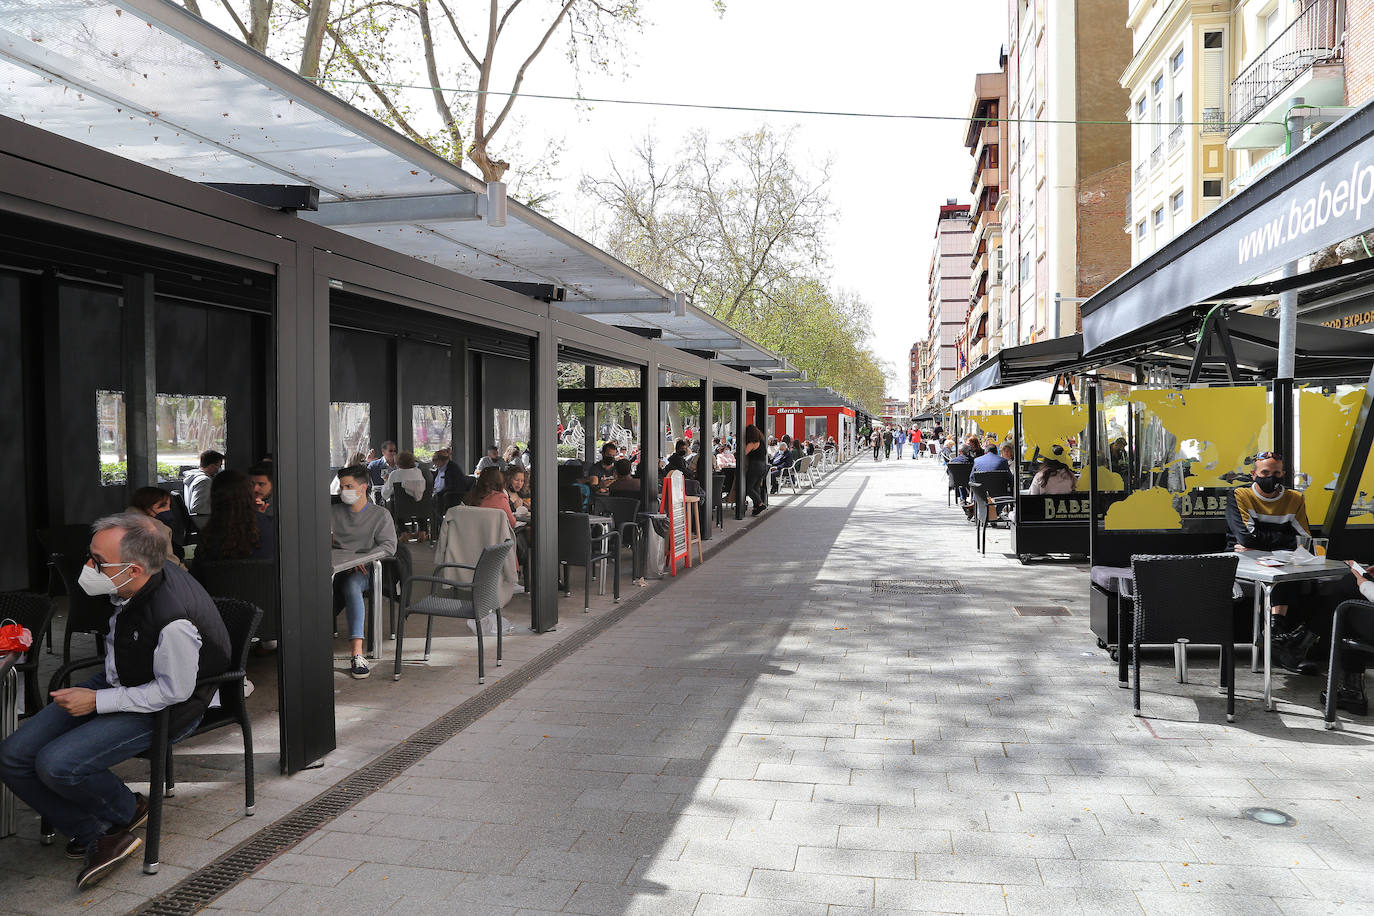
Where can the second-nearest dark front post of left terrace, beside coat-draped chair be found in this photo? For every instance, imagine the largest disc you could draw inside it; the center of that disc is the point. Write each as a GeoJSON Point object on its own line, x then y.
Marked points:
{"type": "Point", "coordinates": [543, 579]}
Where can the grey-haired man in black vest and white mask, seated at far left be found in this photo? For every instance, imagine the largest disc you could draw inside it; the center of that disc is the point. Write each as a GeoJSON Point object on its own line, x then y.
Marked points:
{"type": "Point", "coordinates": [164, 635]}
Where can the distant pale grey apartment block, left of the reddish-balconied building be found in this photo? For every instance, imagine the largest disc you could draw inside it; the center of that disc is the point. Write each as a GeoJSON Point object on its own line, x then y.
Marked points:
{"type": "Point", "coordinates": [949, 284]}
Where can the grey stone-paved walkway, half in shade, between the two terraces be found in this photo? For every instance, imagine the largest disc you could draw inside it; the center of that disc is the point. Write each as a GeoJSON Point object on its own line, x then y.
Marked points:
{"type": "Point", "coordinates": [772, 737]}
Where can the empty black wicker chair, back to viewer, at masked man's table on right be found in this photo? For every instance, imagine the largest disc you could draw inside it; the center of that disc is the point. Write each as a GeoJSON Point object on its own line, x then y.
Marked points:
{"type": "Point", "coordinates": [1184, 599]}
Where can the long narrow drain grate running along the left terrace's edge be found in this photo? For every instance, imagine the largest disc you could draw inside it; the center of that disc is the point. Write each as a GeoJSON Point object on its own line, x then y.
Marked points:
{"type": "Point", "coordinates": [200, 889]}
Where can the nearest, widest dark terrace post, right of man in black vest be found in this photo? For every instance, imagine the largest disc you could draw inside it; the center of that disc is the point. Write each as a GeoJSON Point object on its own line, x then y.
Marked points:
{"type": "Point", "coordinates": [306, 668]}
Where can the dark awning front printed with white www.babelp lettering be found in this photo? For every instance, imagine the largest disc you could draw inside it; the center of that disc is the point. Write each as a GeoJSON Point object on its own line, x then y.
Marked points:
{"type": "Point", "coordinates": [1321, 196]}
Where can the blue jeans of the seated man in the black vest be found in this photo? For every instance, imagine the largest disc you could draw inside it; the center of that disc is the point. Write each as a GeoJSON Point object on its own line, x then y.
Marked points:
{"type": "Point", "coordinates": [60, 766]}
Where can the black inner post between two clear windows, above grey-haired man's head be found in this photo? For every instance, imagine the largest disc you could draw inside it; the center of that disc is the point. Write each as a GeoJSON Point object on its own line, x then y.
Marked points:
{"type": "Point", "coordinates": [141, 399]}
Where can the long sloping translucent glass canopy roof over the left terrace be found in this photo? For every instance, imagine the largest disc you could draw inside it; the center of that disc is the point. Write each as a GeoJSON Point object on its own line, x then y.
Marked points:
{"type": "Point", "coordinates": [149, 82]}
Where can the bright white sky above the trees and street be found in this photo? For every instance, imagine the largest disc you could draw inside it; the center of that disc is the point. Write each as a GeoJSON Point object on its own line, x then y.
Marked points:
{"type": "Point", "coordinates": [872, 56]}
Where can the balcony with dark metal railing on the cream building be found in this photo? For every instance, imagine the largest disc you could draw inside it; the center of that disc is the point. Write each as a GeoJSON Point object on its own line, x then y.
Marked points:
{"type": "Point", "coordinates": [1303, 61]}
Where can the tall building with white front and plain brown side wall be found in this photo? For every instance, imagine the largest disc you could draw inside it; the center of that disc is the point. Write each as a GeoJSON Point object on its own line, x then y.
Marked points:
{"type": "Point", "coordinates": [1068, 165]}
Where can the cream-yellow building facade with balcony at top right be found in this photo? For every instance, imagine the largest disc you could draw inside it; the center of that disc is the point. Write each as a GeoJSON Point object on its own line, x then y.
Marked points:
{"type": "Point", "coordinates": [1211, 86]}
